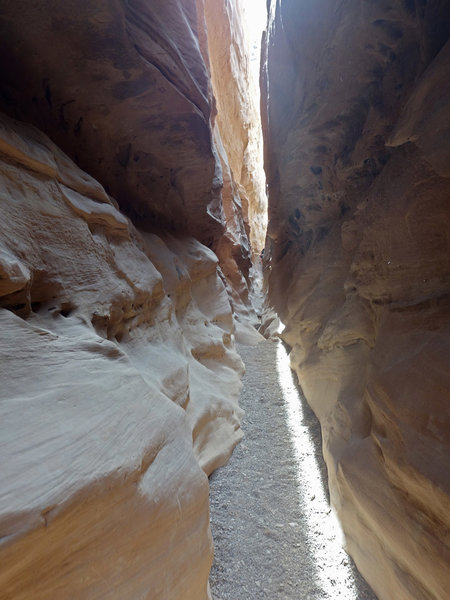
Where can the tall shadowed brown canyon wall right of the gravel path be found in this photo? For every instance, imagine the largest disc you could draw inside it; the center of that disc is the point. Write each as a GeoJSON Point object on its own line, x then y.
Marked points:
{"type": "Point", "coordinates": [358, 261]}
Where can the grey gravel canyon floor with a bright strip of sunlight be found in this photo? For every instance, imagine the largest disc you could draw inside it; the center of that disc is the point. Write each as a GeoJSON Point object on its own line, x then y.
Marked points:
{"type": "Point", "coordinates": [271, 522]}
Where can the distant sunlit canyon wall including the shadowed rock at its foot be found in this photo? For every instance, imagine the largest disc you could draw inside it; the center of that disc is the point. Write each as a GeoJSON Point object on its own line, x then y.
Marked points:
{"type": "Point", "coordinates": [238, 139]}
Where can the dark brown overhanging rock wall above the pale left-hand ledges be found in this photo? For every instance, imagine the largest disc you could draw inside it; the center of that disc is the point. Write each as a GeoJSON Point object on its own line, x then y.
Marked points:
{"type": "Point", "coordinates": [129, 102]}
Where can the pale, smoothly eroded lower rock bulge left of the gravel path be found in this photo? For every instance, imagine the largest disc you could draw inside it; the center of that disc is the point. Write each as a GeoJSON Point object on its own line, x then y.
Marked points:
{"type": "Point", "coordinates": [119, 381]}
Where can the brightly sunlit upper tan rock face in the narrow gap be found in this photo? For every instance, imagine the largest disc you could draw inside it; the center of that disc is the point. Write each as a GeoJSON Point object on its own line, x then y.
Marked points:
{"type": "Point", "coordinates": [237, 123]}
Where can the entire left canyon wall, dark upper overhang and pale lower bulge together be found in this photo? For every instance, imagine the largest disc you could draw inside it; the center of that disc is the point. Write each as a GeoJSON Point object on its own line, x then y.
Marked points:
{"type": "Point", "coordinates": [119, 379]}
